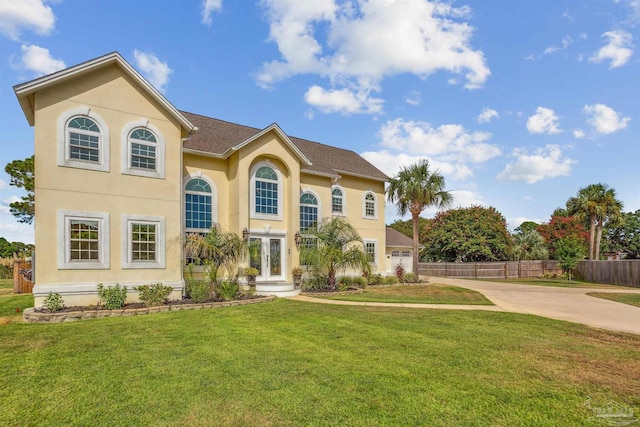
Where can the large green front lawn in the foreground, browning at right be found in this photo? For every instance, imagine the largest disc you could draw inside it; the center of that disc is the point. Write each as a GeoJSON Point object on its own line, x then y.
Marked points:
{"type": "Point", "coordinates": [290, 363]}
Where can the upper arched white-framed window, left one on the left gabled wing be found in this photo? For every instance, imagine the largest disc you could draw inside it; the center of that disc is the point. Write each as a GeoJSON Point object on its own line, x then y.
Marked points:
{"type": "Point", "coordinates": [83, 140]}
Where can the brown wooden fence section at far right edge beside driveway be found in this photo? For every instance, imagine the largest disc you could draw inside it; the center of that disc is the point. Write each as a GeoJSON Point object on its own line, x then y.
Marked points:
{"type": "Point", "coordinates": [622, 272]}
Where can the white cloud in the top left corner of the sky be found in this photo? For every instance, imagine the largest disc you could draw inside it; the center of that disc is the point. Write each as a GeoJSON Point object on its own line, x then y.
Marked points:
{"type": "Point", "coordinates": [19, 15]}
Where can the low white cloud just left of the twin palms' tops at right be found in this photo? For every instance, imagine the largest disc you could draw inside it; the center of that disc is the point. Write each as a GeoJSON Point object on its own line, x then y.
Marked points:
{"type": "Point", "coordinates": [545, 163]}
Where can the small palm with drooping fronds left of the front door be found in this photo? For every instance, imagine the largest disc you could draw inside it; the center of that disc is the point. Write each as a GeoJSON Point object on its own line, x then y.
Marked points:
{"type": "Point", "coordinates": [216, 249]}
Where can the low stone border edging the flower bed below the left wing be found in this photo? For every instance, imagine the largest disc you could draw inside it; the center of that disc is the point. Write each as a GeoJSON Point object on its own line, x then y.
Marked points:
{"type": "Point", "coordinates": [31, 316]}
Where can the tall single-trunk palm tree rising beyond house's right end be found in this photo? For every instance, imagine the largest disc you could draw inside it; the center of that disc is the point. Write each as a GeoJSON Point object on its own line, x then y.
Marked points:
{"type": "Point", "coordinates": [414, 189]}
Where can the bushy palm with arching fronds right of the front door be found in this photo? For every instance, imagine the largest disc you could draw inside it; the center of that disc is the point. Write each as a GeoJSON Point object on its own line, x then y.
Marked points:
{"type": "Point", "coordinates": [334, 246]}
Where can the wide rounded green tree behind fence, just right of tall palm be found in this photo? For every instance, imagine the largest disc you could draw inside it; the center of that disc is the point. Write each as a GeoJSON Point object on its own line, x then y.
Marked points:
{"type": "Point", "coordinates": [468, 234]}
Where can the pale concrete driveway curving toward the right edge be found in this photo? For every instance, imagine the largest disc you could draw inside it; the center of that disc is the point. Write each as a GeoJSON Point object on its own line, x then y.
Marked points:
{"type": "Point", "coordinates": [571, 304]}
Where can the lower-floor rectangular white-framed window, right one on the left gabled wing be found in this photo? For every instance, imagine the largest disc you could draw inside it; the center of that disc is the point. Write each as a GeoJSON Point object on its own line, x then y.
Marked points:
{"type": "Point", "coordinates": [143, 241]}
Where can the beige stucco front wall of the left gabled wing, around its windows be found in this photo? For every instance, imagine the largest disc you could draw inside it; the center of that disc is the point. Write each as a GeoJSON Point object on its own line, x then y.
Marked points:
{"type": "Point", "coordinates": [118, 101]}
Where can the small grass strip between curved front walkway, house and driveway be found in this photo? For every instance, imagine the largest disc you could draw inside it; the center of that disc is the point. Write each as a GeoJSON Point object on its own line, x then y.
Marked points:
{"type": "Point", "coordinates": [428, 294]}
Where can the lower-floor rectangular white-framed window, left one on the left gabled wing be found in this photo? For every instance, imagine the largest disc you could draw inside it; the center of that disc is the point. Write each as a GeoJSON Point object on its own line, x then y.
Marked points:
{"type": "Point", "coordinates": [83, 240]}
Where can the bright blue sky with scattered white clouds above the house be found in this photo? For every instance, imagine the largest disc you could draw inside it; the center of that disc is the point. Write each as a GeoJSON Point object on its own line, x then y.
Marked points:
{"type": "Point", "coordinates": [517, 103]}
